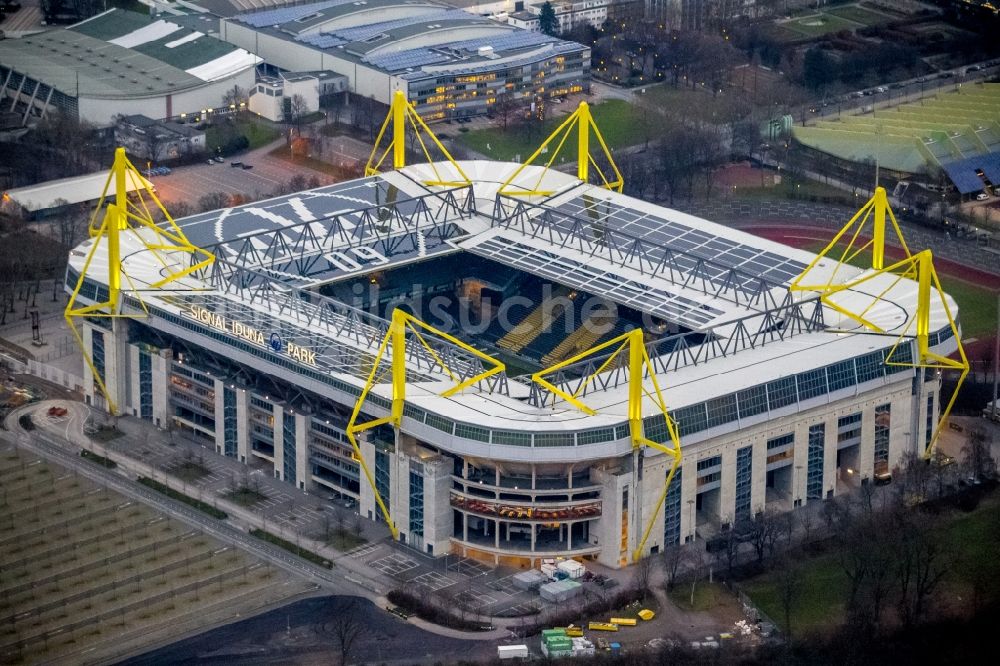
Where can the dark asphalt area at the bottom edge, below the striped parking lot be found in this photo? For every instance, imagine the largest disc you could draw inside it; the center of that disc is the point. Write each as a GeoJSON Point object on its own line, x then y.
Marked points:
{"type": "Point", "coordinates": [305, 632]}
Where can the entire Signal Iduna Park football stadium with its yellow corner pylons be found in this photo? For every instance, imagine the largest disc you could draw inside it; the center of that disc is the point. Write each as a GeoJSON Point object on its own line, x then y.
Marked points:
{"type": "Point", "coordinates": [512, 362]}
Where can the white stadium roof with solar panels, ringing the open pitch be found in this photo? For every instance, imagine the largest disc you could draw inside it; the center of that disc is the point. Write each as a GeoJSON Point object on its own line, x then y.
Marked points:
{"type": "Point", "coordinates": [752, 342]}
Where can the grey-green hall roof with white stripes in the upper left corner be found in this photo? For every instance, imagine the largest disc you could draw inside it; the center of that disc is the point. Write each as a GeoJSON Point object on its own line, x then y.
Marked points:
{"type": "Point", "coordinates": [123, 54]}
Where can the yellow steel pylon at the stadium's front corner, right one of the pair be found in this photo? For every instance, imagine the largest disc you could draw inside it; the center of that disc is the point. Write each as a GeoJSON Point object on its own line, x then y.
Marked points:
{"type": "Point", "coordinates": [639, 365]}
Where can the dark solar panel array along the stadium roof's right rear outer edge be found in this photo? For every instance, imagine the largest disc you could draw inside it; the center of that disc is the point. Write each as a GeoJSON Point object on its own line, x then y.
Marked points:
{"type": "Point", "coordinates": [723, 253]}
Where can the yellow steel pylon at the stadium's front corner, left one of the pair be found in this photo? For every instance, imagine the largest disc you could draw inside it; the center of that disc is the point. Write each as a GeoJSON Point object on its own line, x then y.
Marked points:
{"type": "Point", "coordinates": [401, 324]}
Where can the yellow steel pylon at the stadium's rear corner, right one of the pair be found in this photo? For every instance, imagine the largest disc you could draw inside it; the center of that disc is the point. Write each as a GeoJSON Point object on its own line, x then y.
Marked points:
{"type": "Point", "coordinates": [583, 122]}
